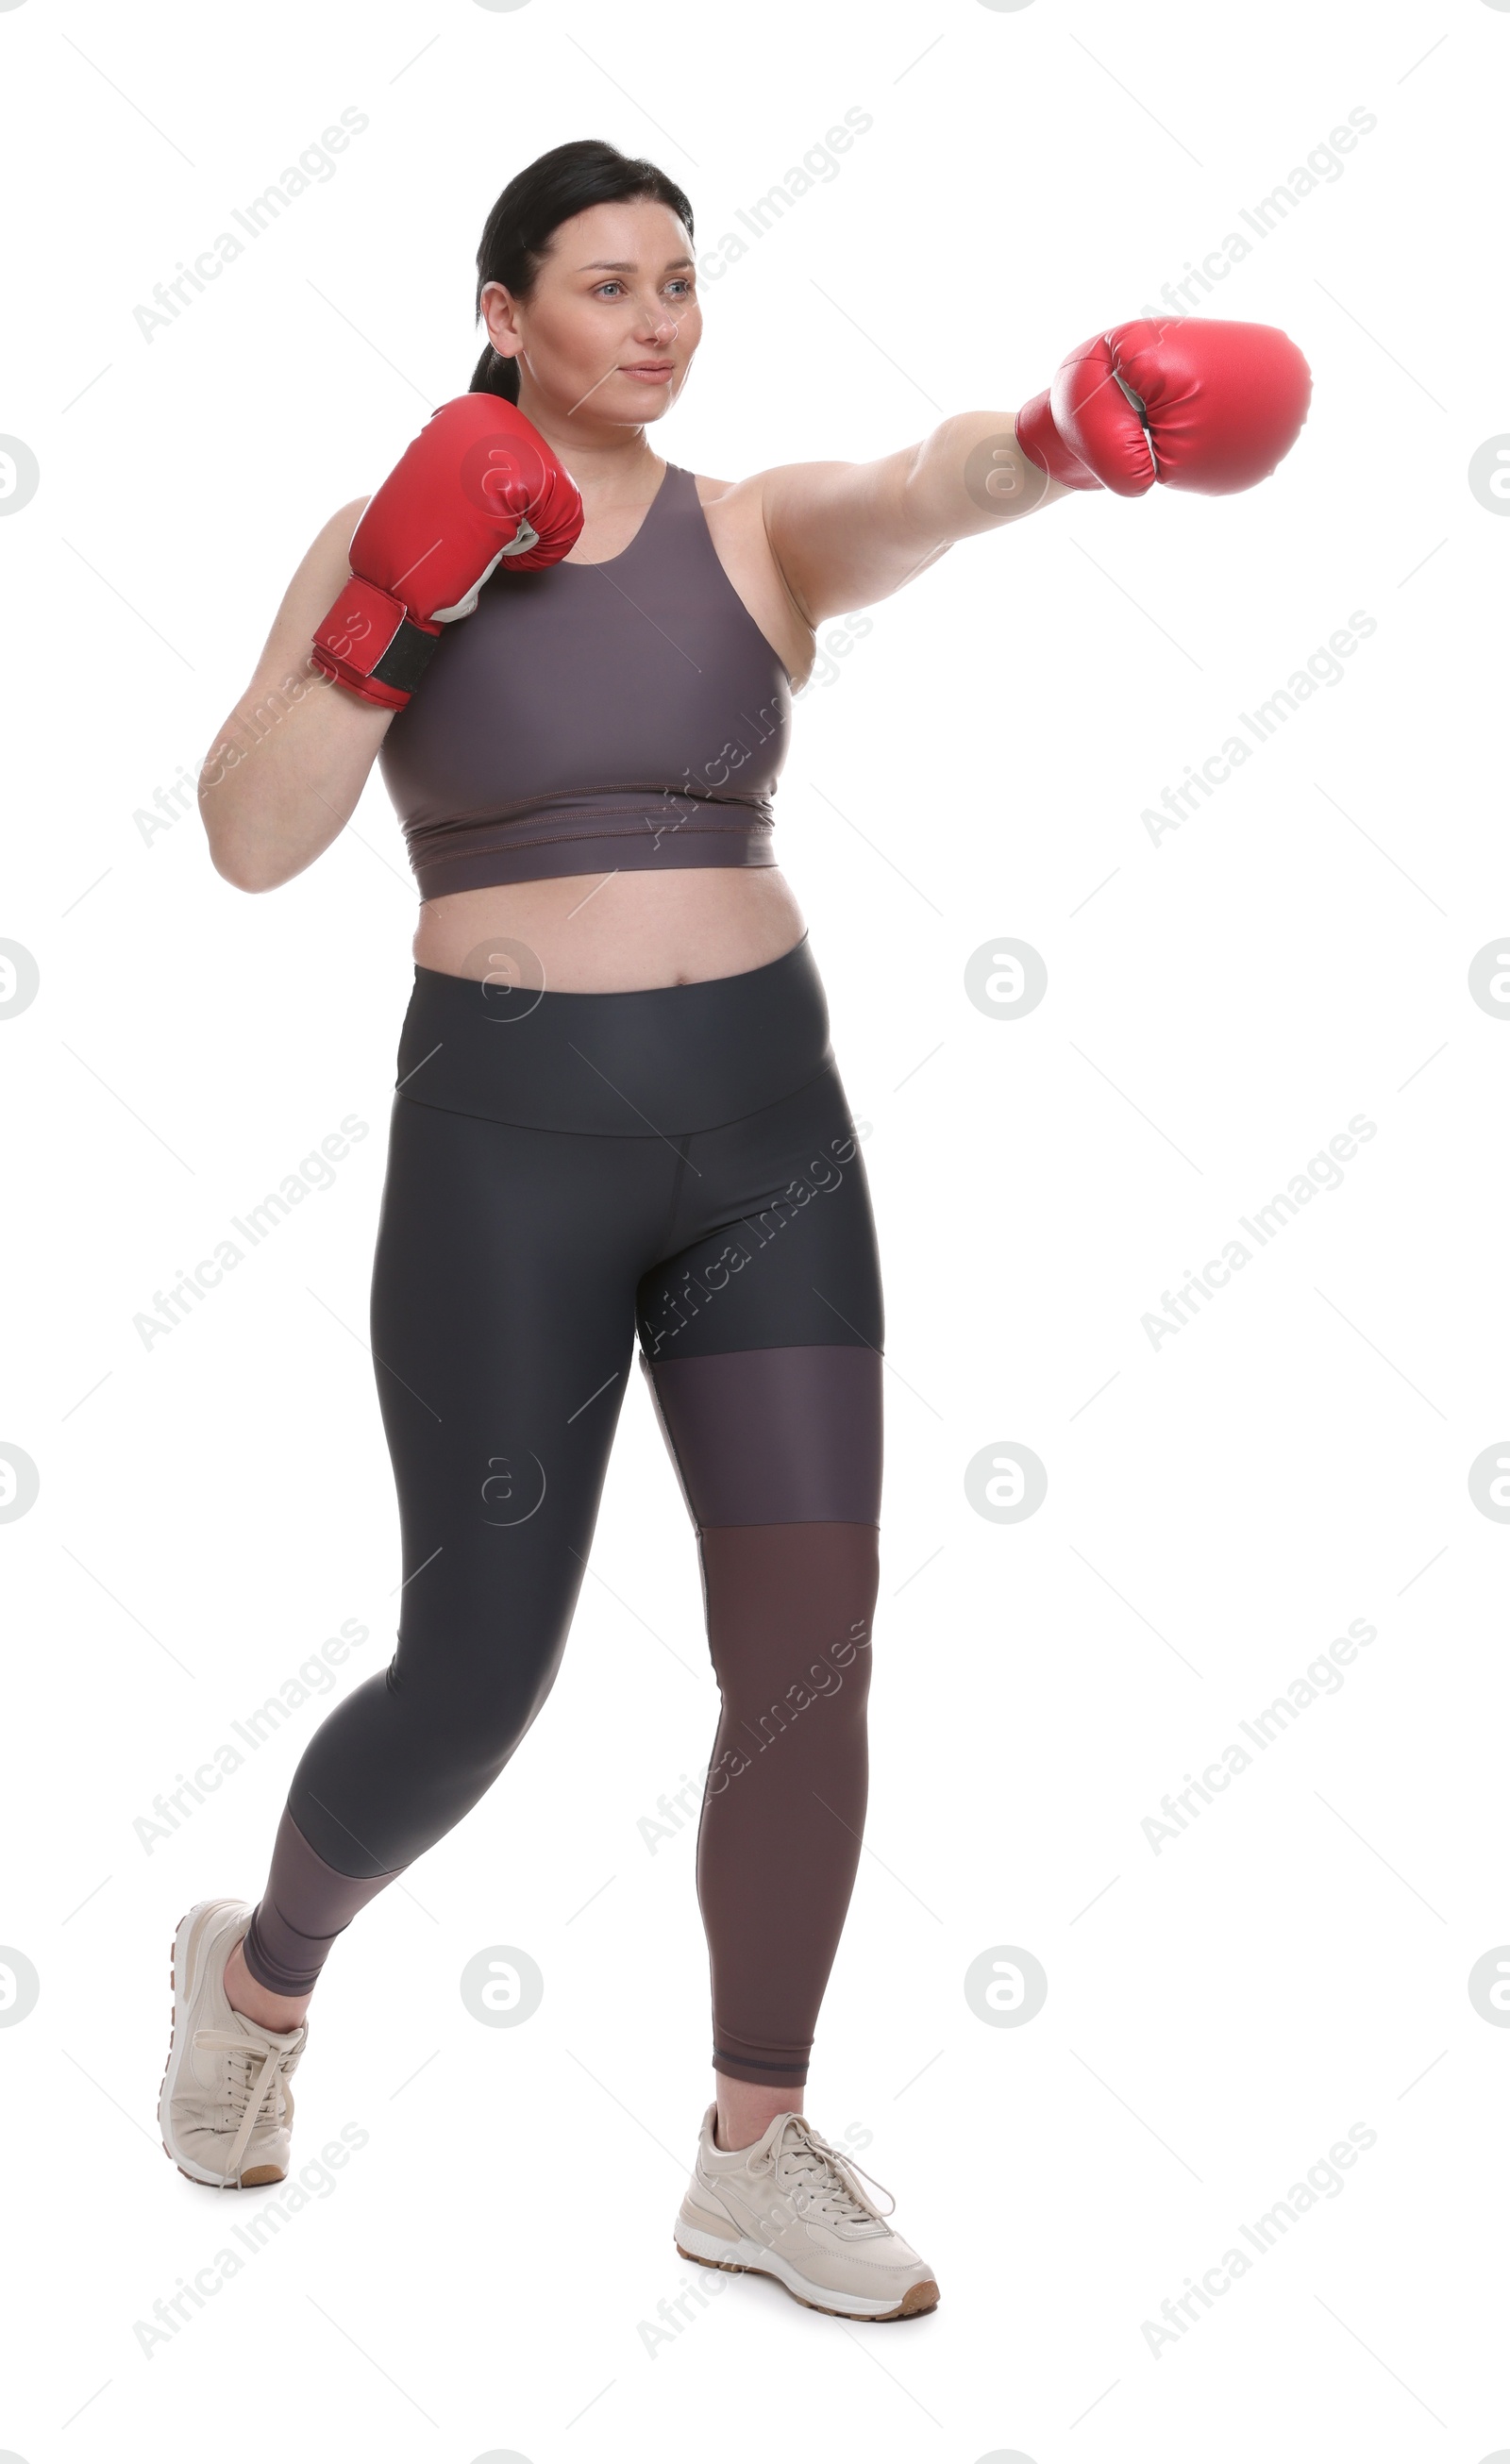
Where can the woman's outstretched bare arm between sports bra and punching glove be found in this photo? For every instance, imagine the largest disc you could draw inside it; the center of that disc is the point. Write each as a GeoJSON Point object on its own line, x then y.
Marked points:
{"type": "Point", "coordinates": [854, 533]}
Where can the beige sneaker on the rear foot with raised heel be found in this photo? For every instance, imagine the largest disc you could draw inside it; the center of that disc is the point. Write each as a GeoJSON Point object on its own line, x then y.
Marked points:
{"type": "Point", "coordinates": [225, 2105]}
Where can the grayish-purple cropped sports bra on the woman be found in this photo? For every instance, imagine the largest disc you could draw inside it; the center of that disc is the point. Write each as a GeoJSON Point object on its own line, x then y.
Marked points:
{"type": "Point", "coordinates": [595, 718]}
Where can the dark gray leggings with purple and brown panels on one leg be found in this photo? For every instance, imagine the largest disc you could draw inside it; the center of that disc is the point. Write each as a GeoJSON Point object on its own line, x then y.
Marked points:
{"type": "Point", "coordinates": [568, 1169]}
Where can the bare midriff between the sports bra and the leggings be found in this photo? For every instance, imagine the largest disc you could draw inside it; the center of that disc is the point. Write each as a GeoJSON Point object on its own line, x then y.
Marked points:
{"type": "Point", "coordinates": [615, 933]}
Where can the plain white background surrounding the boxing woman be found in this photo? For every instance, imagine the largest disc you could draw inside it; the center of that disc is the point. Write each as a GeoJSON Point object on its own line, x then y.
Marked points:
{"type": "Point", "coordinates": [1218, 1509]}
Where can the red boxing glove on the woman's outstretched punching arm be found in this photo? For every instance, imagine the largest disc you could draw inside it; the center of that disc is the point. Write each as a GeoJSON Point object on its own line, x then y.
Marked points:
{"type": "Point", "coordinates": [1184, 400]}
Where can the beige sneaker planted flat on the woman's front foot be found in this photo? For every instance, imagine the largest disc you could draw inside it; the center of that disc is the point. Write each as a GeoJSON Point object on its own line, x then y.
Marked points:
{"type": "Point", "coordinates": [792, 2209]}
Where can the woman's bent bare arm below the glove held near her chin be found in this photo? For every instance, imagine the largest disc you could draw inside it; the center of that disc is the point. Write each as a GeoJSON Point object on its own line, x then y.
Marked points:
{"type": "Point", "coordinates": [294, 755]}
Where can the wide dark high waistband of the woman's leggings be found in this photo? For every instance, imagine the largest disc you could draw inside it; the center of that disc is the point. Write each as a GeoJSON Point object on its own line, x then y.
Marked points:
{"type": "Point", "coordinates": [624, 1066]}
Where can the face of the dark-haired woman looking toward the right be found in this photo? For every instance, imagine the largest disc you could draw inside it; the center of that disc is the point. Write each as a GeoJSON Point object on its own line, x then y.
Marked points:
{"type": "Point", "coordinates": [607, 336]}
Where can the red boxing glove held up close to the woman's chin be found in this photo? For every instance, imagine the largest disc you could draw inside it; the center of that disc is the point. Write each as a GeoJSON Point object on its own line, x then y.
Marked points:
{"type": "Point", "coordinates": [477, 489]}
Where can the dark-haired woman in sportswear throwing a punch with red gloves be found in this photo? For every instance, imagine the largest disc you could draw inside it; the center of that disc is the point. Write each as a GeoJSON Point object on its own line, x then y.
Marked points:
{"type": "Point", "coordinates": [617, 1108]}
